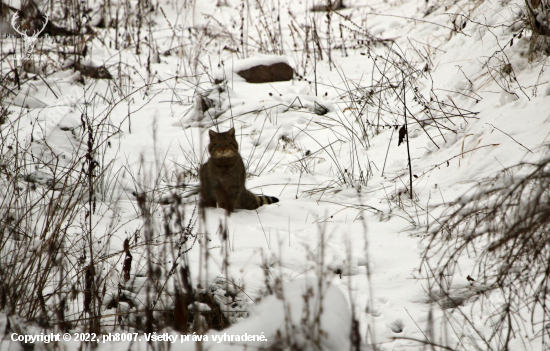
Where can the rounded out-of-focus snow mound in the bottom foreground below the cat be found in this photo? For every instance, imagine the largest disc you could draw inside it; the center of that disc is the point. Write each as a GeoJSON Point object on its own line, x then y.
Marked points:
{"type": "Point", "coordinates": [279, 313]}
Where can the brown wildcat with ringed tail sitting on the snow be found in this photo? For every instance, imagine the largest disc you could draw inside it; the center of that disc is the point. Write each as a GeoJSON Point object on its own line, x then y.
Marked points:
{"type": "Point", "coordinates": [223, 176]}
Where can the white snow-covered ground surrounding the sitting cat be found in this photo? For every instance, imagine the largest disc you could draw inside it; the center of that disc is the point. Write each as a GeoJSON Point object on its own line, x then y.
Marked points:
{"type": "Point", "coordinates": [344, 212]}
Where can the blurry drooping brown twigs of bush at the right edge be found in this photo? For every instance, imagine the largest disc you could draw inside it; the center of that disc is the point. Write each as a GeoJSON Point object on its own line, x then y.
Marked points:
{"type": "Point", "coordinates": [504, 226]}
